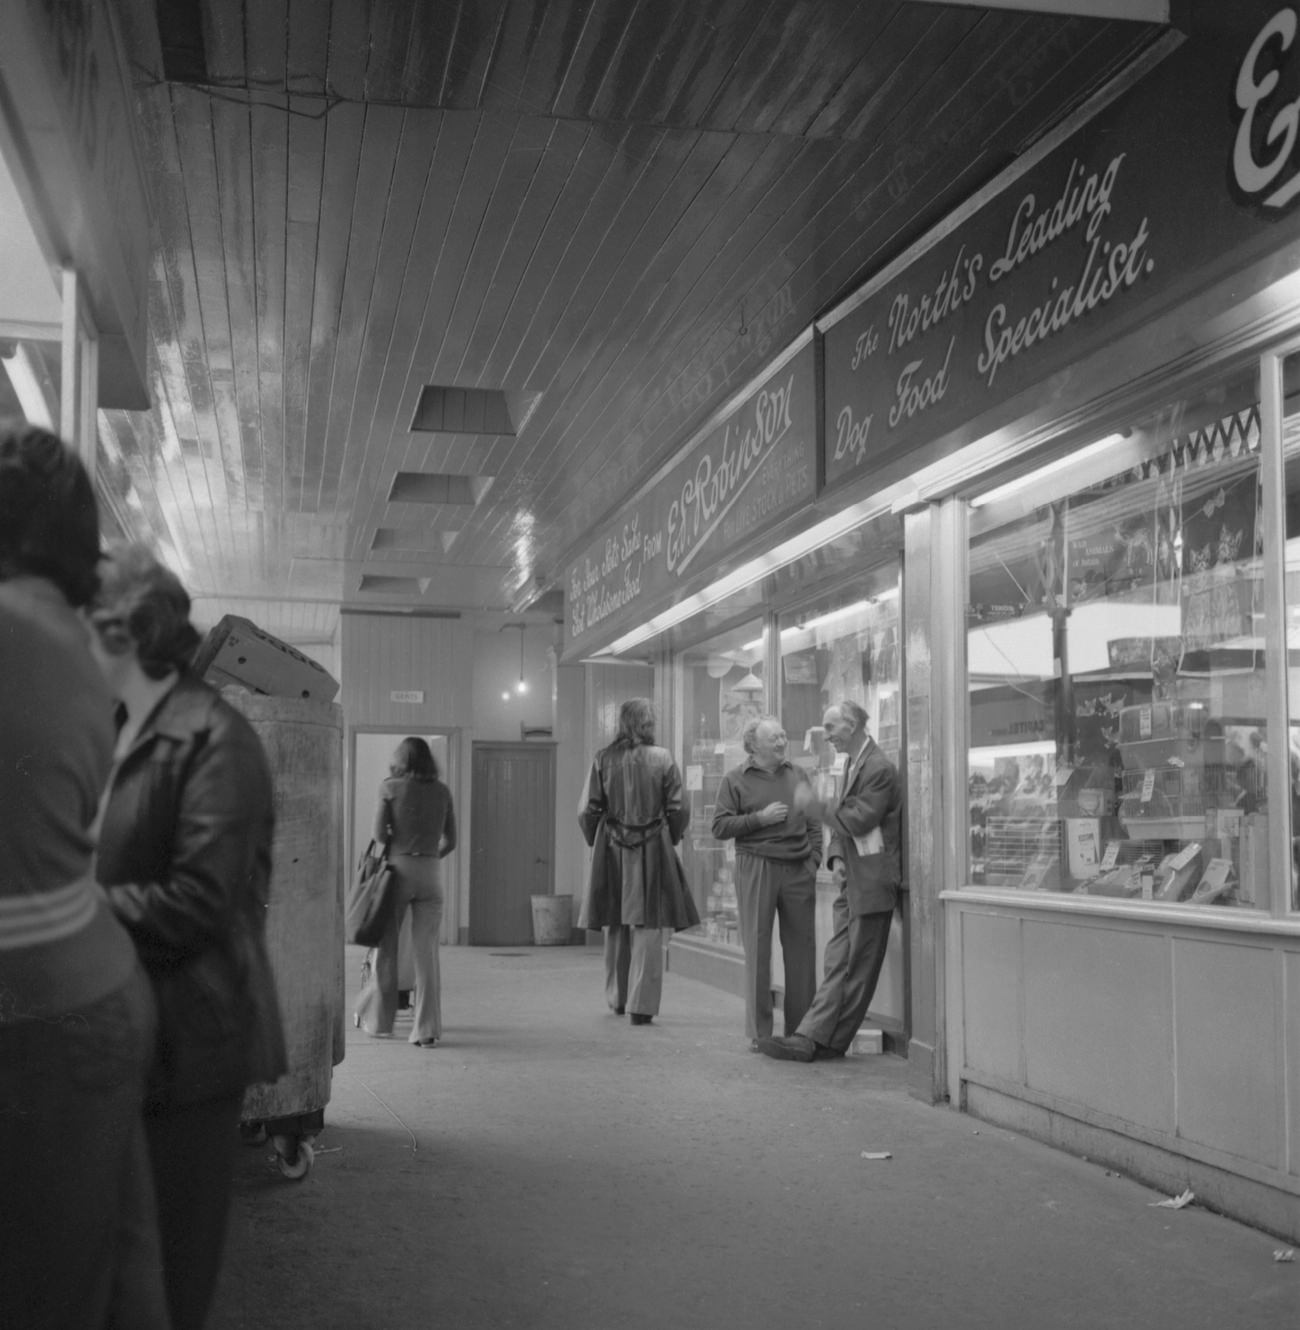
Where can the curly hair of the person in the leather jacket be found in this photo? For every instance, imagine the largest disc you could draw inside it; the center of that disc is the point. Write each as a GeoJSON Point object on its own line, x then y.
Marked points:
{"type": "Point", "coordinates": [146, 602]}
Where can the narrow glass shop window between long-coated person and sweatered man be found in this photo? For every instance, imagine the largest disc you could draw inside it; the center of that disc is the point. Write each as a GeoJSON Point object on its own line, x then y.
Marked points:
{"type": "Point", "coordinates": [721, 686]}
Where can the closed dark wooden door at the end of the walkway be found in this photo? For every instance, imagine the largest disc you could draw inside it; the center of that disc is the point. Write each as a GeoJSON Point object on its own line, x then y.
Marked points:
{"type": "Point", "coordinates": [513, 840]}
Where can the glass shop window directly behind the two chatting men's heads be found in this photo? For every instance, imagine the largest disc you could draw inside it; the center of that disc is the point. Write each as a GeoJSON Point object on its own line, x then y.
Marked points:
{"type": "Point", "coordinates": [844, 647]}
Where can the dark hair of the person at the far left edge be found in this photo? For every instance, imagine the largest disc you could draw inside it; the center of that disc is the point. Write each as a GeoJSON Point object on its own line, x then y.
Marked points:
{"type": "Point", "coordinates": [50, 523]}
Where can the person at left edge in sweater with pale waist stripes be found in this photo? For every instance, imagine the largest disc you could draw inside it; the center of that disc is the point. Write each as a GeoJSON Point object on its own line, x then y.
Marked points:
{"type": "Point", "coordinates": [77, 1011]}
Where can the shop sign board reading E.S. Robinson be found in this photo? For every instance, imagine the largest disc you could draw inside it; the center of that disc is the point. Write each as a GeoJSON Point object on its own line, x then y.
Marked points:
{"type": "Point", "coordinates": [750, 469]}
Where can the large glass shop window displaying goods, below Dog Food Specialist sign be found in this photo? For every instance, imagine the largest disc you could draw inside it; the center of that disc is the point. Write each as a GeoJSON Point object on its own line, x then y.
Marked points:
{"type": "Point", "coordinates": [1116, 663]}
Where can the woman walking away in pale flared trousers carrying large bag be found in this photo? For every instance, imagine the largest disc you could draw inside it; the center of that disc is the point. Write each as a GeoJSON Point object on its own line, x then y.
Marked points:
{"type": "Point", "coordinates": [418, 825]}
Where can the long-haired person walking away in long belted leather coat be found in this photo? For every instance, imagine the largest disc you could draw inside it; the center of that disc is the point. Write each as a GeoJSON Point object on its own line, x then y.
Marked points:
{"type": "Point", "coordinates": [633, 816]}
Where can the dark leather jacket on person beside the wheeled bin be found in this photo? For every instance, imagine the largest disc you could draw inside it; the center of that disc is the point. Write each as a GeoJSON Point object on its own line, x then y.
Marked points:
{"type": "Point", "coordinates": [186, 856]}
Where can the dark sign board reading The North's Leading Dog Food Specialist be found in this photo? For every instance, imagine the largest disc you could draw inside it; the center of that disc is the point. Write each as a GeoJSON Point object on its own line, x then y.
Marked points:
{"type": "Point", "coordinates": [1180, 182]}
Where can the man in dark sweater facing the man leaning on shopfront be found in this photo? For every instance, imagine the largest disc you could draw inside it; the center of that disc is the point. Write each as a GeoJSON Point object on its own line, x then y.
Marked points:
{"type": "Point", "coordinates": [778, 856]}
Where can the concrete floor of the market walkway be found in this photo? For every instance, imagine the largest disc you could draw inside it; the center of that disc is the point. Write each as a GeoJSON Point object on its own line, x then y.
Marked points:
{"type": "Point", "coordinates": [552, 1167]}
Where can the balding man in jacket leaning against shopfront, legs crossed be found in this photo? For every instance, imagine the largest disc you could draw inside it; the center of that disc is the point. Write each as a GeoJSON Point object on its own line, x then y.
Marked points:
{"type": "Point", "coordinates": [866, 827]}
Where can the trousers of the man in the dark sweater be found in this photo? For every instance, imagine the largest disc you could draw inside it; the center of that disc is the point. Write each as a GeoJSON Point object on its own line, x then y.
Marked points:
{"type": "Point", "coordinates": [770, 890]}
